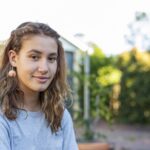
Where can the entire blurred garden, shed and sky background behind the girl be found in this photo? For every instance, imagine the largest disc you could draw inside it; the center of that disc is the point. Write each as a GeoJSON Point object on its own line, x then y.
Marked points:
{"type": "Point", "coordinates": [107, 47]}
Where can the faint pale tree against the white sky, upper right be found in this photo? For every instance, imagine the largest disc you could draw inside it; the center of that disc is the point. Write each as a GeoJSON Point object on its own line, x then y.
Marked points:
{"type": "Point", "coordinates": [139, 32]}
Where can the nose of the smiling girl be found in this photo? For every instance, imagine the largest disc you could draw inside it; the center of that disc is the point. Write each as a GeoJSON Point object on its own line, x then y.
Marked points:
{"type": "Point", "coordinates": [43, 66]}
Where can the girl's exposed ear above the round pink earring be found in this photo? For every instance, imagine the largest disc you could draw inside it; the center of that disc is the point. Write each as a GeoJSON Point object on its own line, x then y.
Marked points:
{"type": "Point", "coordinates": [12, 57]}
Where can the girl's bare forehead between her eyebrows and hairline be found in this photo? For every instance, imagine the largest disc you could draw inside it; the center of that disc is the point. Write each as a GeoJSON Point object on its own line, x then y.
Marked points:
{"type": "Point", "coordinates": [41, 43]}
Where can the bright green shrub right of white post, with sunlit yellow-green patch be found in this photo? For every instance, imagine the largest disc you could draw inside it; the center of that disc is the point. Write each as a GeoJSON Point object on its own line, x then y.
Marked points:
{"type": "Point", "coordinates": [103, 75]}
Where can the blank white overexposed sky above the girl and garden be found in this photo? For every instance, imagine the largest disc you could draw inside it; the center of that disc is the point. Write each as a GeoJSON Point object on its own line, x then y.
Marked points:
{"type": "Point", "coordinates": [102, 21]}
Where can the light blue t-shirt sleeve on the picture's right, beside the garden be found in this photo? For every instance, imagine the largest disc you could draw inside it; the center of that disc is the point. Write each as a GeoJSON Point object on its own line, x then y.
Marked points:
{"type": "Point", "coordinates": [69, 140]}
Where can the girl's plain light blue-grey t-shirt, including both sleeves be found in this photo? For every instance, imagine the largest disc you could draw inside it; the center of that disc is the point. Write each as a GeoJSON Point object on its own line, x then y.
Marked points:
{"type": "Point", "coordinates": [30, 132]}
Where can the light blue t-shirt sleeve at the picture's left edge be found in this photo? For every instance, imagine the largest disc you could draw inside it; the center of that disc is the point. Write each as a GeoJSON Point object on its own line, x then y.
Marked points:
{"type": "Point", "coordinates": [4, 134]}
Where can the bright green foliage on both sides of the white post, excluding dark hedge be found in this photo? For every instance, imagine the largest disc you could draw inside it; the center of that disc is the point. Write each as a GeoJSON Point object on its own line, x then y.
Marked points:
{"type": "Point", "coordinates": [103, 75]}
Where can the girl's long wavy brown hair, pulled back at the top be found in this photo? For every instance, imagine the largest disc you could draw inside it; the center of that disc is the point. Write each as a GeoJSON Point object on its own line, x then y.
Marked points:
{"type": "Point", "coordinates": [51, 100]}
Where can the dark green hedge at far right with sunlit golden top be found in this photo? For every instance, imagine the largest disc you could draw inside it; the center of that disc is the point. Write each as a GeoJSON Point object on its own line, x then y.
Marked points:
{"type": "Point", "coordinates": [135, 85]}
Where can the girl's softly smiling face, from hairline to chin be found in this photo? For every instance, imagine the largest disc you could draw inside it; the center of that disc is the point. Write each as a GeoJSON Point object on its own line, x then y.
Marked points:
{"type": "Point", "coordinates": [36, 63]}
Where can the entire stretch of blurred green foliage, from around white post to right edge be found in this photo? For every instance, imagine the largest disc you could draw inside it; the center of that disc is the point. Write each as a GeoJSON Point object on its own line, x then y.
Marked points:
{"type": "Point", "coordinates": [119, 87]}
